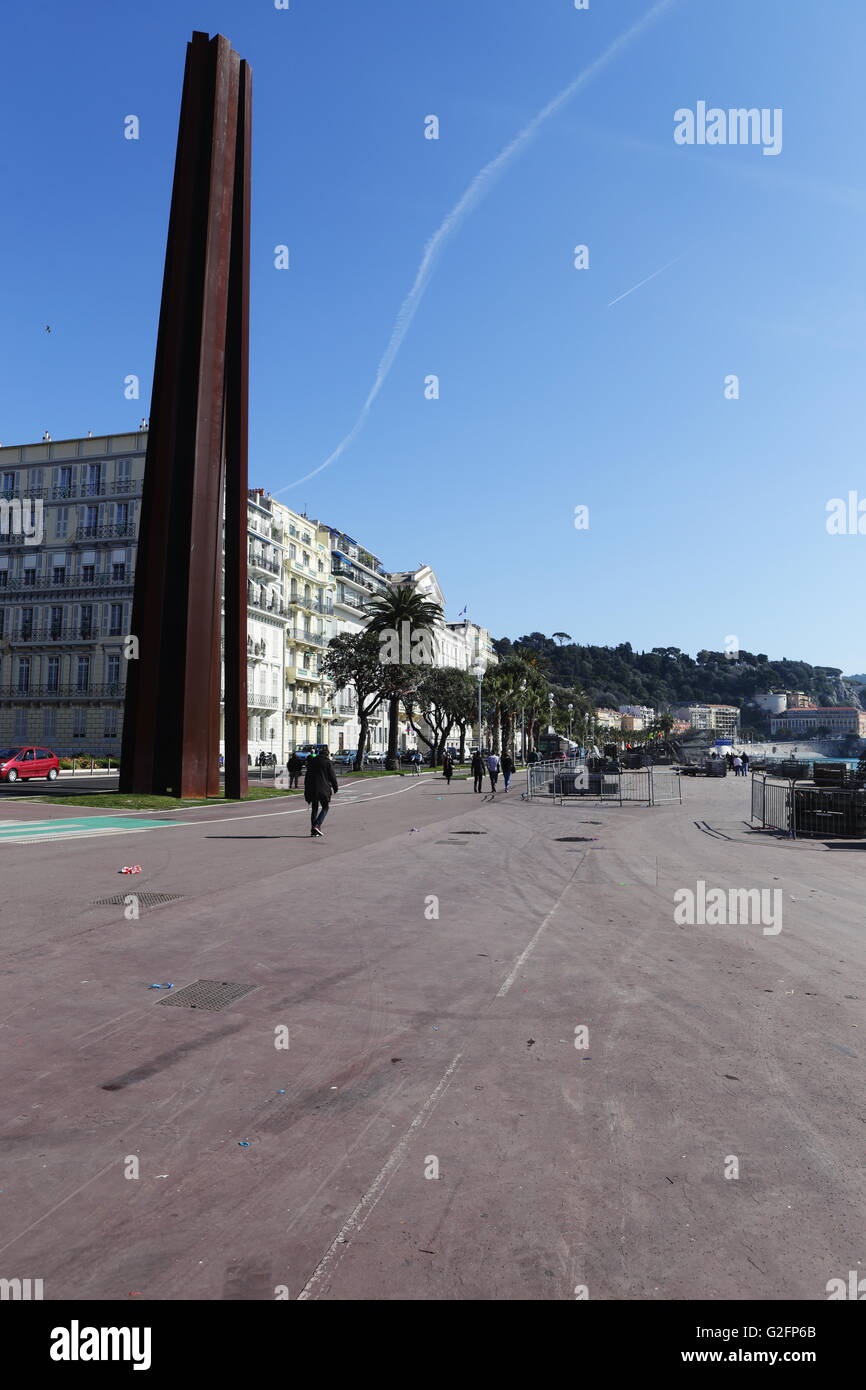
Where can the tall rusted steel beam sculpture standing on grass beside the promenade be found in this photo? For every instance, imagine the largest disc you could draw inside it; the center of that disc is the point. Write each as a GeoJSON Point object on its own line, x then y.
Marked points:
{"type": "Point", "coordinates": [197, 465]}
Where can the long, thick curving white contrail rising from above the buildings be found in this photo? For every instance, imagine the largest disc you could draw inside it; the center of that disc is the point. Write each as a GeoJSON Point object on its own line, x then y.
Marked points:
{"type": "Point", "coordinates": [476, 191]}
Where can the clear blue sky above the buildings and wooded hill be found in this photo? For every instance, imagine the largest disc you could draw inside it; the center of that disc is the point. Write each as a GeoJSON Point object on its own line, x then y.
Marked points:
{"type": "Point", "coordinates": [707, 516]}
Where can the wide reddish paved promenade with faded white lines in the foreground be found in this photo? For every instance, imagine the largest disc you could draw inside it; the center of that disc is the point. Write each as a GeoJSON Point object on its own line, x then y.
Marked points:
{"type": "Point", "coordinates": [430, 983]}
